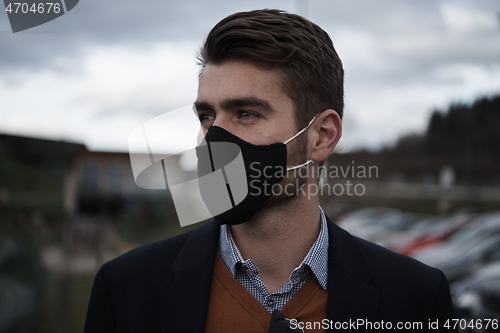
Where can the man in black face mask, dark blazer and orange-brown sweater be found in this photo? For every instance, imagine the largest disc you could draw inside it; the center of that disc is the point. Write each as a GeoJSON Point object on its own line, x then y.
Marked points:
{"type": "Point", "coordinates": [272, 83]}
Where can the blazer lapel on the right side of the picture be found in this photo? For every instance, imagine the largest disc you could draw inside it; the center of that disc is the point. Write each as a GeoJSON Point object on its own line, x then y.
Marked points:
{"type": "Point", "coordinates": [350, 297]}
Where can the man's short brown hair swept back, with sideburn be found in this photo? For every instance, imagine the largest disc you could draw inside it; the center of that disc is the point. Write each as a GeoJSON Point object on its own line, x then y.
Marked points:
{"type": "Point", "coordinates": [303, 52]}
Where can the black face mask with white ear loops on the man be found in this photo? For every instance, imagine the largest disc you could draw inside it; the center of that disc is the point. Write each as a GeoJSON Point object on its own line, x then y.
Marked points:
{"type": "Point", "coordinates": [265, 166]}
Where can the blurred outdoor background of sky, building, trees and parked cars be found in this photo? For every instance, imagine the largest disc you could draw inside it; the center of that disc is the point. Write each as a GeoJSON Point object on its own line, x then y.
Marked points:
{"type": "Point", "coordinates": [422, 95]}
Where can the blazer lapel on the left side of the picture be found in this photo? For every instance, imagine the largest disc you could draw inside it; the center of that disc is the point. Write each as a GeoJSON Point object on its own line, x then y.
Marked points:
{"type": "Point", "coordinates": [184, 297]}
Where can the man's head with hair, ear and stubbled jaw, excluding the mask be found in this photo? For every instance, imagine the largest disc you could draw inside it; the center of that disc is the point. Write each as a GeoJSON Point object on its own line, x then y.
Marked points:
{"type": "Point", "coordinates": [265, 75]}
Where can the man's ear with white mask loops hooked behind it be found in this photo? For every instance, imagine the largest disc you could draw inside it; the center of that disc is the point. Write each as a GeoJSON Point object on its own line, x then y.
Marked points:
{"type": "Point", "coordinates": [325, 134]}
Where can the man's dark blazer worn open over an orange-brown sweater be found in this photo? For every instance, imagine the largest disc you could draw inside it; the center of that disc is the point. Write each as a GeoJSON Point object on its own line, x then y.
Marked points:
{"type": "Point", "coordinates": [165, 286]}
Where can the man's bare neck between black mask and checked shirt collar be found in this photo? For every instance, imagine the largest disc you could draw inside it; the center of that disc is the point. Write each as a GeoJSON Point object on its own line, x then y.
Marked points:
{"type": "Point", "coordinates": [278, 238]}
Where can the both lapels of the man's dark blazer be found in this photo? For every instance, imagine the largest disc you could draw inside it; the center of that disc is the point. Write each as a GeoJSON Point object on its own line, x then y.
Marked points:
{"type": "Point", "coordinates": [184, 297]}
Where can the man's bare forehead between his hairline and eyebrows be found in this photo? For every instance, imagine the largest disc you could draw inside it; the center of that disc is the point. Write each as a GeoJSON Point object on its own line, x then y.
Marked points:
{"type": "Point", "coordinates": [239, 80]}
